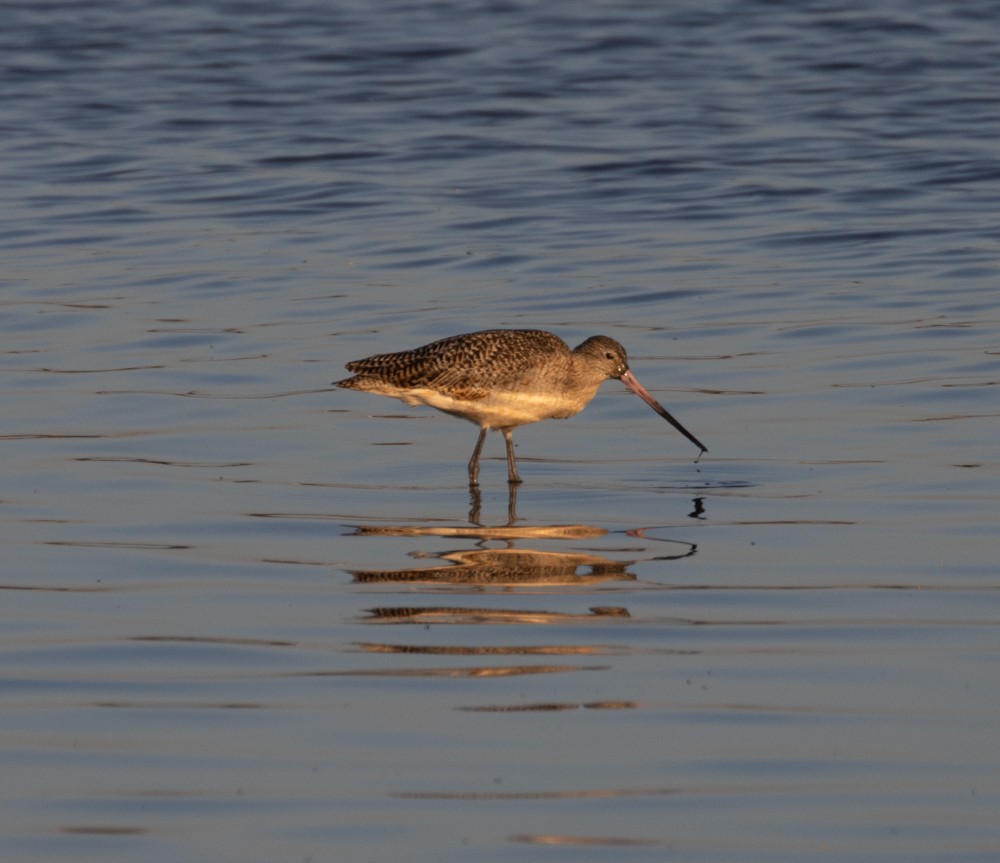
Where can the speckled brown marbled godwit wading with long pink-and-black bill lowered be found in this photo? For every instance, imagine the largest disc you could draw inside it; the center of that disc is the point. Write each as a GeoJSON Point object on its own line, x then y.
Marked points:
{"type": "Point", "coordinates": [502, 379]}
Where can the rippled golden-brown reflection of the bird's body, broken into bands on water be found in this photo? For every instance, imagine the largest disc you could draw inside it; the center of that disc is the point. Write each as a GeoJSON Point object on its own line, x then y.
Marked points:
{"type": "Point", "coordinates": [508, 570]}
